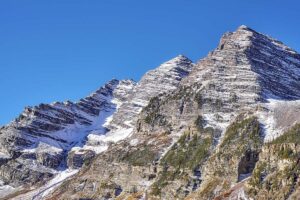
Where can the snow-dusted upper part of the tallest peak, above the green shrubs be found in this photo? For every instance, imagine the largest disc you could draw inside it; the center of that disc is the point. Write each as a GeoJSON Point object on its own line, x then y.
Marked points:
{"type": "Point", "coordinates": [246, 69]}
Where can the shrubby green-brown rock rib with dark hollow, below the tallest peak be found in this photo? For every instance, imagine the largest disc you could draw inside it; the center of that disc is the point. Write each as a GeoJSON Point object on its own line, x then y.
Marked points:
{"type": "Point", "coordinates": [234, 159]}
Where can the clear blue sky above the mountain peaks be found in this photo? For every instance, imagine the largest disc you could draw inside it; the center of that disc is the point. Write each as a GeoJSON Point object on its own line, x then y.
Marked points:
{"type": "Point", "coordinates": [54, 50]}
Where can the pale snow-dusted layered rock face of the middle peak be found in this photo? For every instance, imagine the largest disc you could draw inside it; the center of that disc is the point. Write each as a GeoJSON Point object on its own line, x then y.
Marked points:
{"type": "Point", "coordinates": [163, 79]}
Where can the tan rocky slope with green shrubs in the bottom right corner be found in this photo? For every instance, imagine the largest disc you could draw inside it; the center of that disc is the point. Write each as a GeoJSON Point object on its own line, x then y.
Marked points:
{"type": "Point", "coordinates": [277, 174]}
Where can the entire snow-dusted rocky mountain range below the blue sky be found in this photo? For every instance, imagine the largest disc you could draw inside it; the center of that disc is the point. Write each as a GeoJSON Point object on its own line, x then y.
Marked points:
{"type": "Point", "coordinates": [226, 127]}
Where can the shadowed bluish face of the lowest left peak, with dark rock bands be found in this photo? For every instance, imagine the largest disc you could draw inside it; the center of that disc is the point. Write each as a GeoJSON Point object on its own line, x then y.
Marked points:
{"type": "Point", "coordinates": [64, 124]}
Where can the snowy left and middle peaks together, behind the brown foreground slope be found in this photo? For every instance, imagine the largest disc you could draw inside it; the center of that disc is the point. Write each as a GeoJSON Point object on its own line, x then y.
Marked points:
{"type": "Point", "coordinates": [50, 137]}
